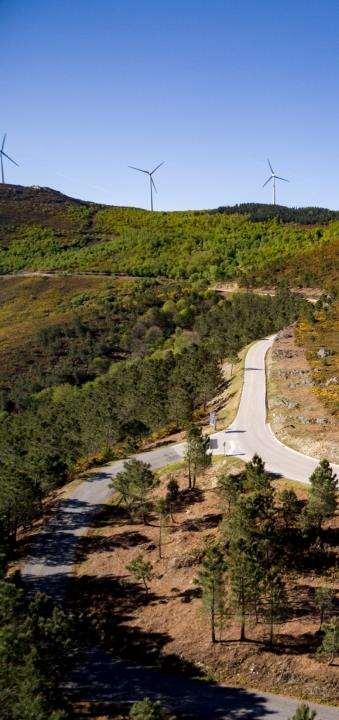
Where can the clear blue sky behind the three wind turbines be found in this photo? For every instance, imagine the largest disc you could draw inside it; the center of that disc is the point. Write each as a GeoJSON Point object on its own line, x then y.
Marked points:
{"type": "Point", "coordinates": [211, 87]}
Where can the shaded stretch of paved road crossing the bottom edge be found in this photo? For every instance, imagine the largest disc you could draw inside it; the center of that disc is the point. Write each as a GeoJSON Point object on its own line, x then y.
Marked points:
{"type": "Point", "coordinates": [103, 679]}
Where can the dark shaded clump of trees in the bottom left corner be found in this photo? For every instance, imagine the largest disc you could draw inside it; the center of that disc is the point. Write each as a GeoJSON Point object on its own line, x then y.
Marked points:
{"type": "Point", "coordinates": [36, 642]}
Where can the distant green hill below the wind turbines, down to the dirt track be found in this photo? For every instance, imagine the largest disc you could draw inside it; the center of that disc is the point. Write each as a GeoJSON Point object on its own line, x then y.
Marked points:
{"type": "Point", "coordinates": [42, 229]}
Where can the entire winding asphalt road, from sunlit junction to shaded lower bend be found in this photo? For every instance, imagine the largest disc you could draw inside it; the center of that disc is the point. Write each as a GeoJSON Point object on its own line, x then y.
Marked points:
{"type": "Point", "coordinates": [52, 558]}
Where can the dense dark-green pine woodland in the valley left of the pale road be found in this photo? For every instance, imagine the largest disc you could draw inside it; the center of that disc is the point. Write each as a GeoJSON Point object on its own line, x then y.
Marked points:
{"type": "Point", "coordinates": [68, 414]}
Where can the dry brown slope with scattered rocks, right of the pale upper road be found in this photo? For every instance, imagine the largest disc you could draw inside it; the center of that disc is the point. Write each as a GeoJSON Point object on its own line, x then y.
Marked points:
{"type": "Point", "coordinates": [297, 415]}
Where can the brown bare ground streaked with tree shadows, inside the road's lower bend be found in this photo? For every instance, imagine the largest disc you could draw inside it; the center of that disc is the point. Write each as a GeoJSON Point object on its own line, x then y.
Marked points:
{"type": "Point", "coordinates": [168, 626]}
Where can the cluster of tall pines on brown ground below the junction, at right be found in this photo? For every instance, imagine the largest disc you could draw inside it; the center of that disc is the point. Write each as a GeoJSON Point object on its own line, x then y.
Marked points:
{"type": "Point", "coordinates": [244, 572]}
